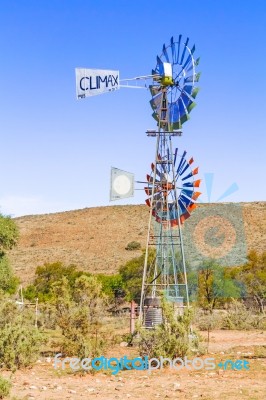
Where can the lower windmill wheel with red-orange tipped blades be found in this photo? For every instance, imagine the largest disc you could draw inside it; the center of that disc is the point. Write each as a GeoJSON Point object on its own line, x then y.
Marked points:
{"type": "Point", "coordinates": [174, 188]}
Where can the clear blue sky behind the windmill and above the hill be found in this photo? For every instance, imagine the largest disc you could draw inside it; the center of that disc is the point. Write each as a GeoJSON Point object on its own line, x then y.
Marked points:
{"type": "Point", "coordinates": [56, 152]}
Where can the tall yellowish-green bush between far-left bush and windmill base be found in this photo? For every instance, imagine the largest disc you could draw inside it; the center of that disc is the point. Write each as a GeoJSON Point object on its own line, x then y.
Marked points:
{"type": "Point", "coordinates": [79, 315]}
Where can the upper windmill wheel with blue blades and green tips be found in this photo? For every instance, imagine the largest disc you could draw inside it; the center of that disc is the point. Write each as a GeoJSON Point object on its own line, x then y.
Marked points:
{"type": "Point", "coordinates": [182, 91]}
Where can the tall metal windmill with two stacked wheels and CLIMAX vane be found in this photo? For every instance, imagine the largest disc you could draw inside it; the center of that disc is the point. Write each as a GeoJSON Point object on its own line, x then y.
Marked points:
{"type": "Point", "coordinates": [171, 185]}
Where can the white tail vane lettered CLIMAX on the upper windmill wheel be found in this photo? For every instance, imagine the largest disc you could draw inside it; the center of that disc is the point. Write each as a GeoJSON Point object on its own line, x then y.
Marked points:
{"type": "Point", "coordinates": [90, 82]}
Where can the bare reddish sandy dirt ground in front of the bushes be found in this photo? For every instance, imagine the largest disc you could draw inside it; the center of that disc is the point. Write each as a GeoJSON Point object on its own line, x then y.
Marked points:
{"type": "Point", "coordinates": [43, 382]}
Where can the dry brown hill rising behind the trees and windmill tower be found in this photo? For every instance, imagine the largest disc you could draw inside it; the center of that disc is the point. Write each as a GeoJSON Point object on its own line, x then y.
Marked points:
{"type": "Point", "coordinates": [95, 238]}
